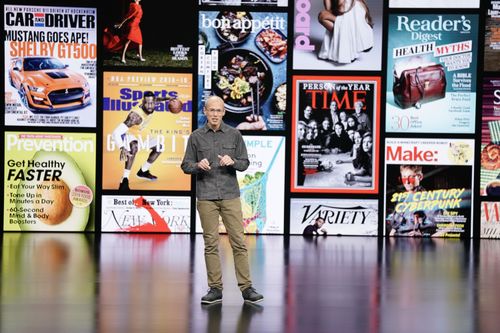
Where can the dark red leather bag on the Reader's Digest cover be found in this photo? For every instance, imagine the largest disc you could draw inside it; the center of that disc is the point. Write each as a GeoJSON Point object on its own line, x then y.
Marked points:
{"type": "Point", "coordinates": [419, 85]}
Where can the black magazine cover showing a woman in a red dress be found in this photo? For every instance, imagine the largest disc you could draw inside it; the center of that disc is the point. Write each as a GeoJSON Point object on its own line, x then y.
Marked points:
{"type": "Point", "coordinates": [141, 34]}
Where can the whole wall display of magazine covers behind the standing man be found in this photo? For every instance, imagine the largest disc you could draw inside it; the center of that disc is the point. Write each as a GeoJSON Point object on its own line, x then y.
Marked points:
{"type": "Point", "coordinates": [360, 117]}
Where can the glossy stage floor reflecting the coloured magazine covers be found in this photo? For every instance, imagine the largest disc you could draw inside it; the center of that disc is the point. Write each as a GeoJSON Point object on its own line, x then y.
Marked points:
{"type": "Point", "coordinates": [153, 283]}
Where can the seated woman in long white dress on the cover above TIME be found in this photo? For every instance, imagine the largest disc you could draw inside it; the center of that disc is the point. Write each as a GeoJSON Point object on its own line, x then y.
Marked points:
{"type": "Point", "coordinates": [349, 30]}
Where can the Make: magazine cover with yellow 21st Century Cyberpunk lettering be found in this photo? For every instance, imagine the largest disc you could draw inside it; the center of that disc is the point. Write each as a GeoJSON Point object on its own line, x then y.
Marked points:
{"type": "Point", "coordinates": [429, 186]}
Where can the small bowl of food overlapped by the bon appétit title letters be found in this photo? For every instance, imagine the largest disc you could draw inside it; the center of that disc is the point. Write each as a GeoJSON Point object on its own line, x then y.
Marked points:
{"type": "Point", "coordinates": [235, 26]}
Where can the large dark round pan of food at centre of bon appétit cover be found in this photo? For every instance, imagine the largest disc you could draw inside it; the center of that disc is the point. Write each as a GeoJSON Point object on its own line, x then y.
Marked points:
{"type": "Point", "coordinates": [241, 73]}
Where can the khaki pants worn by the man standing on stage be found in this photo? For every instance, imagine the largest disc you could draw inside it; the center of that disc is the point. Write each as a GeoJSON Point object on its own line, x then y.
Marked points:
{"type": "Point", "coordinates": [232, 217]}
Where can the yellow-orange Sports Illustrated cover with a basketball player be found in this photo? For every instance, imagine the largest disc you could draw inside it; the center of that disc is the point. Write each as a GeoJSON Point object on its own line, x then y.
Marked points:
{"type": "Point", "coordinates": [147, 152]}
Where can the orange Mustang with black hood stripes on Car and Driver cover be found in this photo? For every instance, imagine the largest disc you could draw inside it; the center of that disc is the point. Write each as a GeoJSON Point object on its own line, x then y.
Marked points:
{"type": "Point", "coordinates": [46, 84]}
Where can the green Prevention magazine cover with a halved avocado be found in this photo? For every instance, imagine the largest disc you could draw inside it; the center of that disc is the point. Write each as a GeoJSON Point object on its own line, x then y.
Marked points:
{"type": "Point", "coordinates": [49, 181]}
